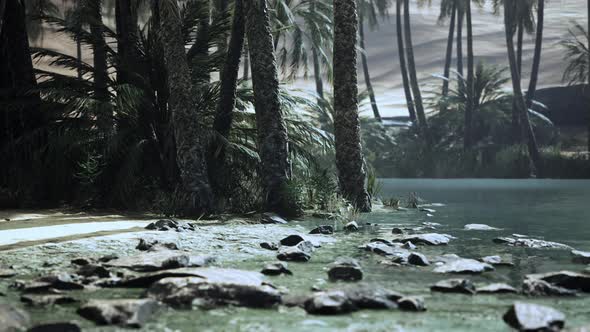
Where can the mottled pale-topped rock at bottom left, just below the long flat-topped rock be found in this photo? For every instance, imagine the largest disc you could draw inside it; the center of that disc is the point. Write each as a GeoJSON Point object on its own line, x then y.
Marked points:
{"type": "Point", "coordinates": [122, 312]}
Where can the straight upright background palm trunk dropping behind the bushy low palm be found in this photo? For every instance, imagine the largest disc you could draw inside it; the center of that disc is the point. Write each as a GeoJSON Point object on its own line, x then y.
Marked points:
{"type": "Point", "coordinates": [469, 107]}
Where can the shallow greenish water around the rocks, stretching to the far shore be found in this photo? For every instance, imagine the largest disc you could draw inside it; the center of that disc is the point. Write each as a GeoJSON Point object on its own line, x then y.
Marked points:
{"type": "Point", "coordinates": [548, 209]}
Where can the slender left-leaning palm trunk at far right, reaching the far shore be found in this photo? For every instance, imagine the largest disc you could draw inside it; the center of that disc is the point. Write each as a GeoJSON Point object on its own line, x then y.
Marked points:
{"type": "Point", "coordinates": [520, 102]}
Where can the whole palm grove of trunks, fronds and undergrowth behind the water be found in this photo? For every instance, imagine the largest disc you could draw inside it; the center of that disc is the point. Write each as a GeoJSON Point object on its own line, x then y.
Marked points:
{"type": "Point", "coordinates": [187, 108]}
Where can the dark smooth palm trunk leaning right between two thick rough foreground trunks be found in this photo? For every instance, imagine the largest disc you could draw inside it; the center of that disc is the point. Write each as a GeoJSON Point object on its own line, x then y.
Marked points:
{"type": "Point", "coordinates": [229, 74]}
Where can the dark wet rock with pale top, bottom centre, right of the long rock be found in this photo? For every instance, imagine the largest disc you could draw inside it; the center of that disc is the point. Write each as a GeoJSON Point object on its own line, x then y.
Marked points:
{"type": "Point", "coordinates": [329, 303]}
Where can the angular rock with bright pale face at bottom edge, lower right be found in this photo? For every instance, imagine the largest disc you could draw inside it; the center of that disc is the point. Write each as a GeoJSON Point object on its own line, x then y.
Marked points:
{"type": "Point", "coordinates": [533, 317]}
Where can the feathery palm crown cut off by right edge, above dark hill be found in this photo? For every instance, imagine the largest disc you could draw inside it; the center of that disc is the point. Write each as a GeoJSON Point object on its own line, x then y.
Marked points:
{"type": "Point", "coordinates": [577, 55]}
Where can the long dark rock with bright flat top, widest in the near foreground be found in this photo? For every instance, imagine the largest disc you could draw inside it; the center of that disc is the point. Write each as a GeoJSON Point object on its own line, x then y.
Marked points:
{"type": "Point", "coordinates": [213, 287]}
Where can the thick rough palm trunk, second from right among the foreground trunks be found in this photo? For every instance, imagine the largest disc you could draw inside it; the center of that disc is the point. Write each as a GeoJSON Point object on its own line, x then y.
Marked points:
{"type": "Point", "coordinates": [272, 131]}
